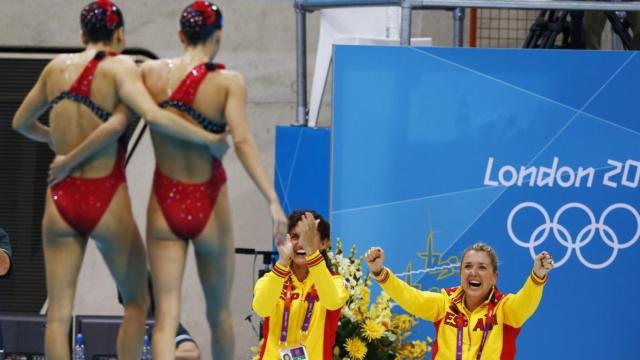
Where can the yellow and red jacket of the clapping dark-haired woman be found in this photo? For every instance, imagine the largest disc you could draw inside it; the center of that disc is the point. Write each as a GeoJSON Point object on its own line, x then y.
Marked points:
{"type": "Point", "coordinates": [269, 299]}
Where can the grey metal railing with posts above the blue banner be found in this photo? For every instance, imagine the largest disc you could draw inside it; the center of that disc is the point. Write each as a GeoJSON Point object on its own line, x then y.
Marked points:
{"type": "Point", "coordinates": [407, 6]}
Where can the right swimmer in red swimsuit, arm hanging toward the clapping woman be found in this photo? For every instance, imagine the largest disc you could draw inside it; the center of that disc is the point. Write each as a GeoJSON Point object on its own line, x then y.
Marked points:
{"type": "Point", "coordinates": [190, 199]}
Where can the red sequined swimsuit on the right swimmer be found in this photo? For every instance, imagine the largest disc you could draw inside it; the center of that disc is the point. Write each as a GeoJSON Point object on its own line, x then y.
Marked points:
{"type": "Point", "coordinates": [186, 206]}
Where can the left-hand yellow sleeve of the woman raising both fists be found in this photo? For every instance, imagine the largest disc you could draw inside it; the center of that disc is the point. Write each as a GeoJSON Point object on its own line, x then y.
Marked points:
{"type": "Point", "coordinates": [424, 304]}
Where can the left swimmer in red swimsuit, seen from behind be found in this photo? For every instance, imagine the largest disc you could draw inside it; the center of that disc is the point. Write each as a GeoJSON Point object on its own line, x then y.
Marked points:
{"type": "Point", "coordinates": [88, 117]}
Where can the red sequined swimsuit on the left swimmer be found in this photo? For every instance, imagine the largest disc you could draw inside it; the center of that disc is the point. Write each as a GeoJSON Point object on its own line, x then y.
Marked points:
{"type": "Point", "coordinates": [82, 201]}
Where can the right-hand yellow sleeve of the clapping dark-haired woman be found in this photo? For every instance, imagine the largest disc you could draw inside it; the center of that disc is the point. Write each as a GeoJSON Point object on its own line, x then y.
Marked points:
{"type": "Point", "coordinates": [331, 289]}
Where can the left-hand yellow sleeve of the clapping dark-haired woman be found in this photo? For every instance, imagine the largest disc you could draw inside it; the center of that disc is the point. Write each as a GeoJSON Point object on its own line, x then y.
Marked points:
{"type": "Point", "coordinates": [266, 293]}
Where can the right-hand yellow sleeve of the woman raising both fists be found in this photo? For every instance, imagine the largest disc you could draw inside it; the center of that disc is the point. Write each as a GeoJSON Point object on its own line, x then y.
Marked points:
{"type": "Point", "coordinates": [520, 306]}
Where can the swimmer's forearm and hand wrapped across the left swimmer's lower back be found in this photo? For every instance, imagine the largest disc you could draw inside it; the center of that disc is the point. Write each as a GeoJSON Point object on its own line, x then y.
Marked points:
{"type": "Point", "coordinates": [104, 135]}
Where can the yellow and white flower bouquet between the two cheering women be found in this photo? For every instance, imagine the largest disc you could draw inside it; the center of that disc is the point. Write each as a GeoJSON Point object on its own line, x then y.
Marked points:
{"type": "Point", "coordinates": [371, 331]}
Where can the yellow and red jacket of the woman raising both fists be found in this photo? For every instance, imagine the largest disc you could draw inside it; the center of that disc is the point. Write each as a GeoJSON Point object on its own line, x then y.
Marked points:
{"type": "Point", "coordinates": [447, 306]}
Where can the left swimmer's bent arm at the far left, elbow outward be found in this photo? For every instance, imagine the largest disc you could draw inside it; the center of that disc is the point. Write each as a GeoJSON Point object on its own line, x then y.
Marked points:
{"type": "Point", "coordinates": [25, 121]}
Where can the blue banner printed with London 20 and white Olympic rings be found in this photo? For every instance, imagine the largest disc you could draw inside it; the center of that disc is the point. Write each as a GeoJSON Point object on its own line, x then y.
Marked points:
{"type": "Point", "coordinates": [435, 149]}
